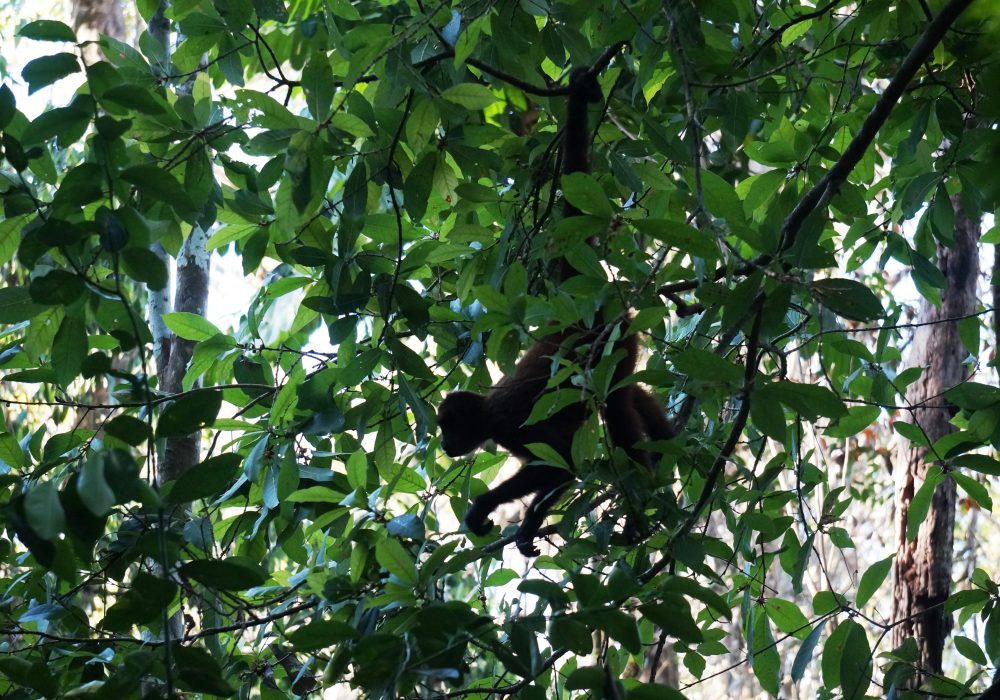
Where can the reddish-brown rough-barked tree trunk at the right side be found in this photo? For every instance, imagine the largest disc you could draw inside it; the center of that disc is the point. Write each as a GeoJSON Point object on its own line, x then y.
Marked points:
{"type": "Point", "coordinates": [922, 569]}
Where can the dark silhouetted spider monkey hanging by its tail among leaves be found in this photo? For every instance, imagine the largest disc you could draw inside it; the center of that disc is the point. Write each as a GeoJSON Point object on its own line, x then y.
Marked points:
{"type": "Point", "coordinates": [630, 414]}
